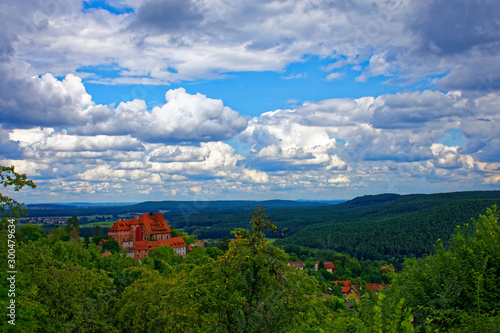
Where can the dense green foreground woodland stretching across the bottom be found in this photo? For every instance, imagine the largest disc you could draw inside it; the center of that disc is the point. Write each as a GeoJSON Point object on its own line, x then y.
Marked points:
{"type": "Point", "coordinates": [243, 284]}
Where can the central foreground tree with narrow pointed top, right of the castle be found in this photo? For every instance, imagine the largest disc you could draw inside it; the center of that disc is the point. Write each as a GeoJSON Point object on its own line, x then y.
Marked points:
{"type": "Point", "coordinates": [250, 288]}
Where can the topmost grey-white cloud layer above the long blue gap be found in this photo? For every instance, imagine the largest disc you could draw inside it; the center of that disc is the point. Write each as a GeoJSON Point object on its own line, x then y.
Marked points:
{"type": "Point", "coordinates": [171, 41]}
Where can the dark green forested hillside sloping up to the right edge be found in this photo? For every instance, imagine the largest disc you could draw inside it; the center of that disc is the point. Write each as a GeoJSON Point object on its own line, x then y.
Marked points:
{"type": "Point", "coordinates": [387, 225]}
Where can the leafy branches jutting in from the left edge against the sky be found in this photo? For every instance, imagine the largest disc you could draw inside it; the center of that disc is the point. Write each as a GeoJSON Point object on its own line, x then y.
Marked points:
{"type": "Point", "coordinates": [8, 206]}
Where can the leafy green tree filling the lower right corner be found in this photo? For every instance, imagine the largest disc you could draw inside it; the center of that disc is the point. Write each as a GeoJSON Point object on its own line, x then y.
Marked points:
{"type": "Point", "coordinates": [458, 283]}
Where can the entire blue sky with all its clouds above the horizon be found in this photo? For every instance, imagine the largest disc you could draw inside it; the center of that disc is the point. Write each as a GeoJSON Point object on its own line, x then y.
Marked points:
{"type": "Point", "coordinates": [135, 100]}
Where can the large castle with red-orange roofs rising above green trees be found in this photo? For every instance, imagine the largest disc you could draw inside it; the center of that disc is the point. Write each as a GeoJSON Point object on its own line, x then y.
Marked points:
{"type": "Point", "coordinates": [140, 235]}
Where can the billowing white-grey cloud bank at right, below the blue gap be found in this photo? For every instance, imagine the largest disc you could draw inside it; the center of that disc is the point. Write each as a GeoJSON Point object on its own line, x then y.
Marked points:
{"type": "Point", "coordinates": [342, 134]}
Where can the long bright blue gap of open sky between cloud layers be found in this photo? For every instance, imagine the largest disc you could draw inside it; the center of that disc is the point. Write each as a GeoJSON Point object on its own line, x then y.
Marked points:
{"type": "Point", "coordinates": [296, 83]}
